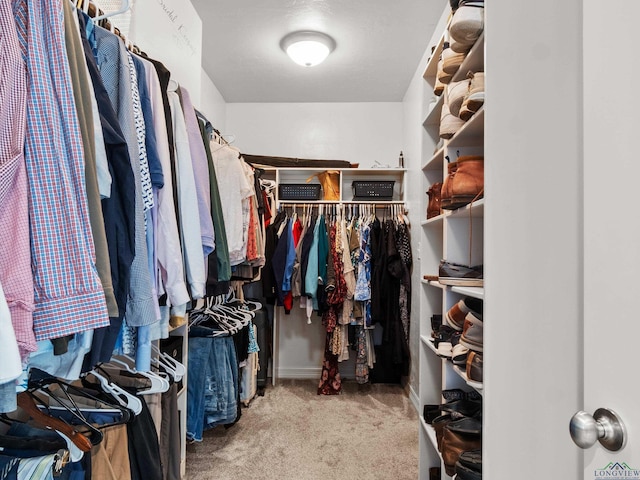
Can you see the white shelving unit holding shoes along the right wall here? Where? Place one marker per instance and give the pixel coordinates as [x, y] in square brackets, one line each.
[446, 236]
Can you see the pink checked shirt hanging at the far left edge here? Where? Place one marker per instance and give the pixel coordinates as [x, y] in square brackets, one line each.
[15, 262]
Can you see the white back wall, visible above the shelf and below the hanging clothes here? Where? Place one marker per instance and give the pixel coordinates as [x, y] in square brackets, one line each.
[358, 132]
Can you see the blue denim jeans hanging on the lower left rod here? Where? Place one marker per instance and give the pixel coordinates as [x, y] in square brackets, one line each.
[212, 386]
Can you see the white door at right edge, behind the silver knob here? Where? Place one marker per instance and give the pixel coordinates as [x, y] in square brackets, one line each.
[612, 228]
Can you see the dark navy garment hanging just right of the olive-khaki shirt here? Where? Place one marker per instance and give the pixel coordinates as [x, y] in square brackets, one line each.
[118, 210]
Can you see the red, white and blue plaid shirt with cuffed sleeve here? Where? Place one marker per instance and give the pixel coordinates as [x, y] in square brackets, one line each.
[68, 293]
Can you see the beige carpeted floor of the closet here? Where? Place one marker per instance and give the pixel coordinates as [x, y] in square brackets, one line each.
[368, 432]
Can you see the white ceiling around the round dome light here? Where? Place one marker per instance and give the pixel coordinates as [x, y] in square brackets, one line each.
[379, 46]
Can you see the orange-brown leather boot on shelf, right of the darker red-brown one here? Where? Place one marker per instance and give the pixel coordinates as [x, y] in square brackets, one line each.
[467, 184]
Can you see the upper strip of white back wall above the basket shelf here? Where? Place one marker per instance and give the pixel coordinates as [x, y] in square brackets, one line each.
[357, 132]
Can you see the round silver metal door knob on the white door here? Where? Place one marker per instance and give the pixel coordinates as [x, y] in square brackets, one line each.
[604, 426]
